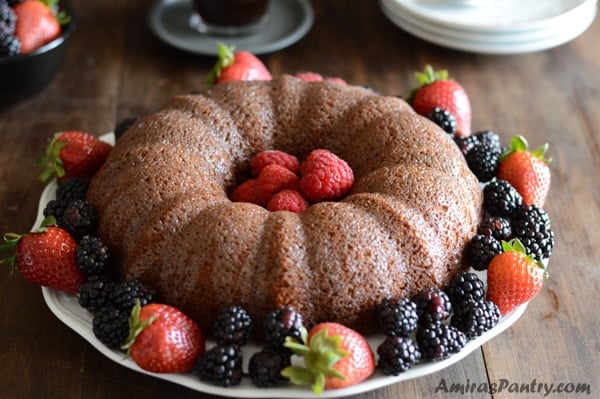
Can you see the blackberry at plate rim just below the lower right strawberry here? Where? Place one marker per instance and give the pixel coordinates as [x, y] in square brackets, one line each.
[476, 318]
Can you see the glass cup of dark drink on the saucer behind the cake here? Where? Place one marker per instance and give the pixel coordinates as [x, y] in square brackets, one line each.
[229, 17]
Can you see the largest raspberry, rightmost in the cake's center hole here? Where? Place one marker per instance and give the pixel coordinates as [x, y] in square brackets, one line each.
[325, 176]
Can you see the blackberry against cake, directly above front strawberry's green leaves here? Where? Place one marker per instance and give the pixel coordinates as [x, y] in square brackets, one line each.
[281, 323]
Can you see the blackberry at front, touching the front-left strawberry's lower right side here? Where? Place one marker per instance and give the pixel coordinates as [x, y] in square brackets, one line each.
[221, 365]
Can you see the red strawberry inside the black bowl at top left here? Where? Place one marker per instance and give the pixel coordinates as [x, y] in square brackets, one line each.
[36, 25]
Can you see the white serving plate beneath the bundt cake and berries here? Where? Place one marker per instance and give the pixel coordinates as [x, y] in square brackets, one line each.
[66, 308]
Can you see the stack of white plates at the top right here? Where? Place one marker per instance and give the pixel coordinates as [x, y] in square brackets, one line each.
[493, 26]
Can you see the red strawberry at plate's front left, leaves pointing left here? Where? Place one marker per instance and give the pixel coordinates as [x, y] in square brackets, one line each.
[162, 339]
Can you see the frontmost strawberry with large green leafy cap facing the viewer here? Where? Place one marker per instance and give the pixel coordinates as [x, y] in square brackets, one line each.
[335, 356]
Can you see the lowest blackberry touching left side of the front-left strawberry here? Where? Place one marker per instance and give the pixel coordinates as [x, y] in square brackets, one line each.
[111, 326]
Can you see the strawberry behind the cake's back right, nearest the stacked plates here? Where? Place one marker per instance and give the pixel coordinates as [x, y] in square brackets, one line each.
[437, 90]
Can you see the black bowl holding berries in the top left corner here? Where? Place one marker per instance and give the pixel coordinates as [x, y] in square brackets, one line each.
[23, 75]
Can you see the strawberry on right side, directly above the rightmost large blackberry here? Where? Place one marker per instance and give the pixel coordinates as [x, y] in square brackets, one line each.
[527, 171]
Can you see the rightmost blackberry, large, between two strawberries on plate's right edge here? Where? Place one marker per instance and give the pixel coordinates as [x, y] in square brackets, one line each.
[531, 225]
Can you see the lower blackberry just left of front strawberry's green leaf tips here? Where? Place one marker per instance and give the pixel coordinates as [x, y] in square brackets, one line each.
[265, 367]
